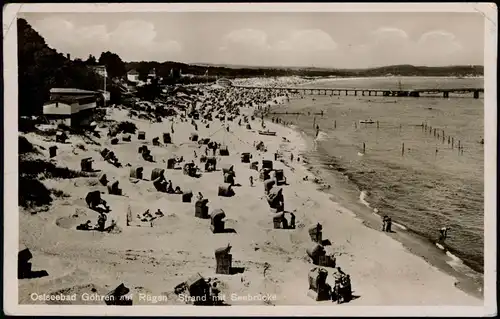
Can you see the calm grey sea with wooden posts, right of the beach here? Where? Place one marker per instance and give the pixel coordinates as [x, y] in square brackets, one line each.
[433, 184]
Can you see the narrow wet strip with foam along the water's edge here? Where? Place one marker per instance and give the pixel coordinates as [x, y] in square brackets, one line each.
[463, 281]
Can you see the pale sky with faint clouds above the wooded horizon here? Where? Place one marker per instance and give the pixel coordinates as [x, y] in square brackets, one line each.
[315, 39]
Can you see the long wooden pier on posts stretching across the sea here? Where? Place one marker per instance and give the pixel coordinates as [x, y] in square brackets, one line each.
[368, 92]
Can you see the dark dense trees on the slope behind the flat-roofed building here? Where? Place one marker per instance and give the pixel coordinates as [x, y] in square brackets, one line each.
[41, 68]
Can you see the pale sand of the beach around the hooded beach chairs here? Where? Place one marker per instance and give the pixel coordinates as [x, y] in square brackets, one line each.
[153, 259]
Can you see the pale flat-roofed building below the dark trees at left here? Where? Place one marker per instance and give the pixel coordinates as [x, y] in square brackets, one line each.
[72, 107]
